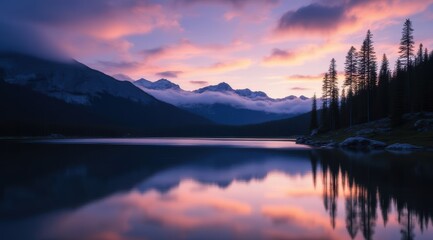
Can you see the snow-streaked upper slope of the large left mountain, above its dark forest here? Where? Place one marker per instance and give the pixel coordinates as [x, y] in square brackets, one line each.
[69, 81]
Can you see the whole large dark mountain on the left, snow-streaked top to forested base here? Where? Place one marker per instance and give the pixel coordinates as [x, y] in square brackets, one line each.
[69, 97]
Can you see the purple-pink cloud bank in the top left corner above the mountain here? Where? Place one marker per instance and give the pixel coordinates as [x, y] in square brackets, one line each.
[42, 28]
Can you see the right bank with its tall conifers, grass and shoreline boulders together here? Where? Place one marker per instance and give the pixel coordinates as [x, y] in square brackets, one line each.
[391, 106]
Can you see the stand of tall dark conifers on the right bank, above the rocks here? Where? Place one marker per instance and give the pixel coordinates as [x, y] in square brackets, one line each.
[372, 91]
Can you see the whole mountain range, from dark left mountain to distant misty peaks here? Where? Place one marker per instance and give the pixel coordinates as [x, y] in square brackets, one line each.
[40, 97]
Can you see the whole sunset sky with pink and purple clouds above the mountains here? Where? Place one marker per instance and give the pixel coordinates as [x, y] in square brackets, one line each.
[278, 46]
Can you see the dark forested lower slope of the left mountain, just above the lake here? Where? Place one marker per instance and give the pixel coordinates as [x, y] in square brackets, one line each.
[25, 112]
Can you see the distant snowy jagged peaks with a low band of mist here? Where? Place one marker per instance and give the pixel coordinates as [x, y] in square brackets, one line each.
[225, 105]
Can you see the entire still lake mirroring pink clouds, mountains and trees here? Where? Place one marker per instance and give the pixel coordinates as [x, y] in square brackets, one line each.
[210, 189]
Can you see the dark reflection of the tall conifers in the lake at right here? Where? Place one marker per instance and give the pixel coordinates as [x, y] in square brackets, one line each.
[402, 183]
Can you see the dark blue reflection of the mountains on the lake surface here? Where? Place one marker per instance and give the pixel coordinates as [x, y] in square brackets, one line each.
[71, 175]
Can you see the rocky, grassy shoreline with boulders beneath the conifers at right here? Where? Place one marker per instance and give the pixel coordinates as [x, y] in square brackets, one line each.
[415, 134]
